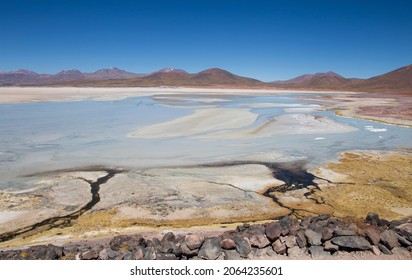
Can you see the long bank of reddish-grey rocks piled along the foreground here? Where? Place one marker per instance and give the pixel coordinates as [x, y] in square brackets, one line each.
[322, 237]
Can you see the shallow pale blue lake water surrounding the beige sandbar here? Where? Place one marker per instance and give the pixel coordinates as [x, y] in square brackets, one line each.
[38, 137]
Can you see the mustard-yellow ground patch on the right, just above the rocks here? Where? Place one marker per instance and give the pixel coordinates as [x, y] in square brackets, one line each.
[379, 182]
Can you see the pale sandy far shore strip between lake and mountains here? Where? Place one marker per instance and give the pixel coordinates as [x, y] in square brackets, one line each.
[353, 106]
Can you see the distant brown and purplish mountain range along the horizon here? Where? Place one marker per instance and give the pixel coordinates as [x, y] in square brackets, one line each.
[397, 81]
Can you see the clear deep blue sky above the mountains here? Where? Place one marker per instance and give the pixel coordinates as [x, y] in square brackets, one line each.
[267, 40]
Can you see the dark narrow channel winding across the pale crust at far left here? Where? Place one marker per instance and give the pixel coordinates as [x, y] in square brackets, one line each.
[65, 220]
